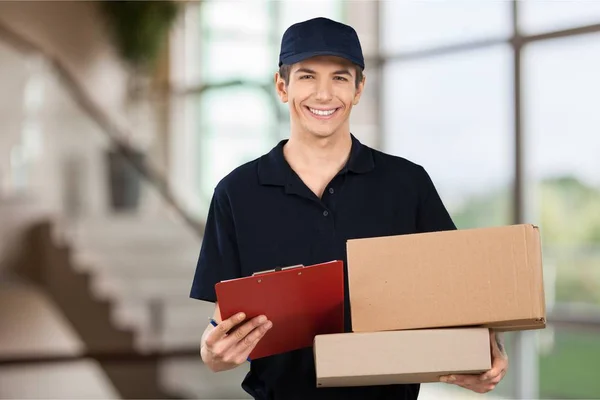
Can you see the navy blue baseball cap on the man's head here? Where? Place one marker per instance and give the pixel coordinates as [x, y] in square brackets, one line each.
[319, 37]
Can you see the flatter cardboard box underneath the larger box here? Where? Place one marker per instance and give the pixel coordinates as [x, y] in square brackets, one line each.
[412, 356]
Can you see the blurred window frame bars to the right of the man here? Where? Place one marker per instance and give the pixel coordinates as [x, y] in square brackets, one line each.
[523, 350]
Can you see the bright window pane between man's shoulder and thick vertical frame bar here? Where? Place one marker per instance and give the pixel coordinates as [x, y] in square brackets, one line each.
[452, 115]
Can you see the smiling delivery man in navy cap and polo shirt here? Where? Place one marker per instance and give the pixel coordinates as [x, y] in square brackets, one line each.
[302, 201]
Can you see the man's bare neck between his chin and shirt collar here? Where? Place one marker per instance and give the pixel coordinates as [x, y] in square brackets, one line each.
[328, 155]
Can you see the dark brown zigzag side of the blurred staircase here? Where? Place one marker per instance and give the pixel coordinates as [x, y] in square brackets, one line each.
[50, 265]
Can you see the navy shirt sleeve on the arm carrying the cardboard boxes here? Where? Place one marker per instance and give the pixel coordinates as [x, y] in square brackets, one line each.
[432, 215]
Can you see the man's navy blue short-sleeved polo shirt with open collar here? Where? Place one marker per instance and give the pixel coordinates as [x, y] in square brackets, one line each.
[263, 216]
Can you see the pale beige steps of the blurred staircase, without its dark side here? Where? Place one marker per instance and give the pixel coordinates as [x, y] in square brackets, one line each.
[147, 265]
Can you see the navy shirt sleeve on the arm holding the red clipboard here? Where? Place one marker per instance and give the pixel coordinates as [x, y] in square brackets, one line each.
[218, 259]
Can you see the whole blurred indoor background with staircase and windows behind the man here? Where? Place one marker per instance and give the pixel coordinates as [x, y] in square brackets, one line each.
[118, 119]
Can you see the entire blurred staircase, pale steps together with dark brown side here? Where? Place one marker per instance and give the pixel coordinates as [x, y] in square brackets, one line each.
[123, 283]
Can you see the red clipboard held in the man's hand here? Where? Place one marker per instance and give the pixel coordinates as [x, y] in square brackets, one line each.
[301, 301]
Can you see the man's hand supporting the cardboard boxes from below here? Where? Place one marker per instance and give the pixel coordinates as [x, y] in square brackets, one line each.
[487, 381]
